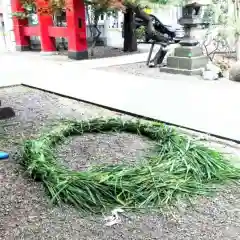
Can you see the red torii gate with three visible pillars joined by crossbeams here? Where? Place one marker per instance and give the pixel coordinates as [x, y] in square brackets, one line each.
[75, 31]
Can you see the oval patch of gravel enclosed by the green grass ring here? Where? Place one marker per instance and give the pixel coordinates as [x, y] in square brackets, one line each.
[81, 152]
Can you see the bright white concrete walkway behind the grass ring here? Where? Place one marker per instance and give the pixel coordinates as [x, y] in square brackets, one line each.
[211, 107]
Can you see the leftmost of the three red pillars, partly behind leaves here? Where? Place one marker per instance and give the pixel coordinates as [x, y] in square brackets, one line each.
[22, 42]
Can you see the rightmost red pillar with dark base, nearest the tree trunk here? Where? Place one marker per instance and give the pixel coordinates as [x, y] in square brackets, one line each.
[76, 24]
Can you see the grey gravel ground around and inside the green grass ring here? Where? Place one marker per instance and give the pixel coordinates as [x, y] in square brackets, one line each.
[25, 210]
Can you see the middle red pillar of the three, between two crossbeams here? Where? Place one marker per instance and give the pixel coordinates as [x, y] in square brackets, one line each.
[45, 20]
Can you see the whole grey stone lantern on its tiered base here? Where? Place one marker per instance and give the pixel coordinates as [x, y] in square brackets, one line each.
[188, 58]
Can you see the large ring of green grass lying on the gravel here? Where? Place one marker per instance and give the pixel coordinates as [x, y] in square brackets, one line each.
[178, 167]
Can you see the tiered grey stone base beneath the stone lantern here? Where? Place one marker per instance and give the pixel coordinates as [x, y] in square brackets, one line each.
[187, 60]
